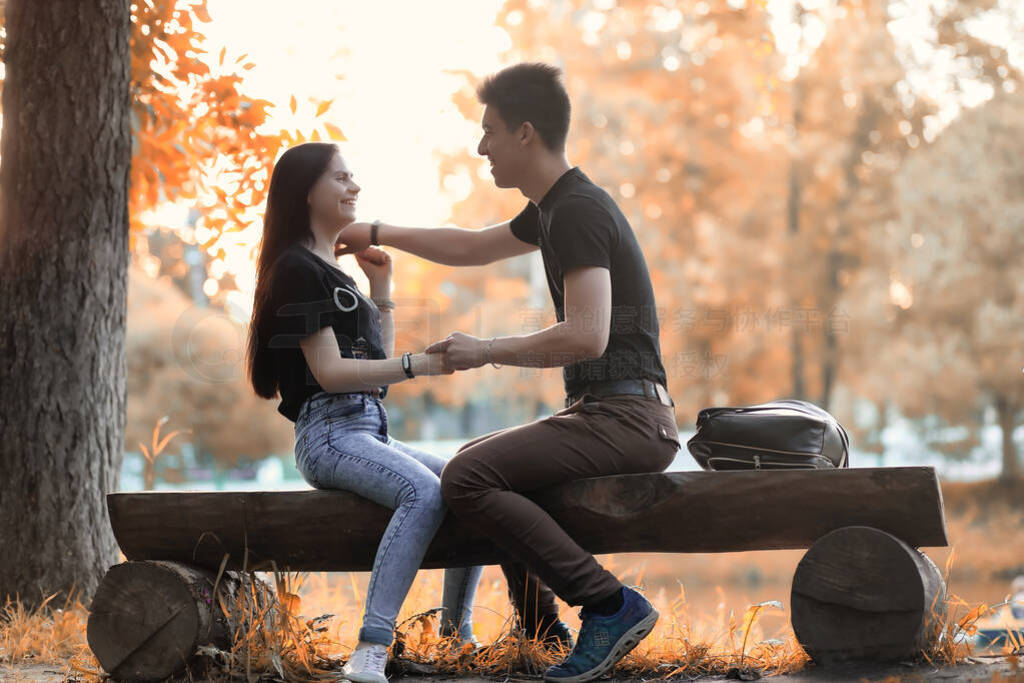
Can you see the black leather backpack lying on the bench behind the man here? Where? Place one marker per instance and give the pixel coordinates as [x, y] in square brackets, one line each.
[781, 435]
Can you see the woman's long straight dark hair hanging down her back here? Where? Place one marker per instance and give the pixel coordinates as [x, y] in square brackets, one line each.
[286, 223]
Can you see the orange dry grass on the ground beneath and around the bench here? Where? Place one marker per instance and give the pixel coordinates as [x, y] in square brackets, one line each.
[297, 649]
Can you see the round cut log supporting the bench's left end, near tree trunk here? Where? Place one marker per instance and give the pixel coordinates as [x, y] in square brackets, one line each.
[148, 618]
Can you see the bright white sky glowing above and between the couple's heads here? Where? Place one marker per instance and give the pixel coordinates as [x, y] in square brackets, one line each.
[385, 66]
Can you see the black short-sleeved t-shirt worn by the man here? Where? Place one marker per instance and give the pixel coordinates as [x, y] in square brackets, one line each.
[578, 224]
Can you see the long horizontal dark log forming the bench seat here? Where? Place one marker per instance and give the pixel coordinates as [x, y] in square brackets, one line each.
[677, 513]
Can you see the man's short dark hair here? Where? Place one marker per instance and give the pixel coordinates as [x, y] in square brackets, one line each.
[531, 92]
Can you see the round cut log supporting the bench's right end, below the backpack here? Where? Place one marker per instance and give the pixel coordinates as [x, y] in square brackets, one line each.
[863, 594]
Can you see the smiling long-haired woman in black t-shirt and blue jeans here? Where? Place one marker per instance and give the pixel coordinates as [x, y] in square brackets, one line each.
[328, 350]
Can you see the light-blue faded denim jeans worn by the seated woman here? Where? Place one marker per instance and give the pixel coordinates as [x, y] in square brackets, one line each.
[342, 442]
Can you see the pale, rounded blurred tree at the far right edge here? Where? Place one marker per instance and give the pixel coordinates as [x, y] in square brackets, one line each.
[958, 344]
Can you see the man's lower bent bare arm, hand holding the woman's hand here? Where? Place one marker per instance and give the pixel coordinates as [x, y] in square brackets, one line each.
[584, 333]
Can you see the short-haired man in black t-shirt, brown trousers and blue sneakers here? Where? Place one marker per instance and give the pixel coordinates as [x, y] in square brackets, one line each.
[618, 417]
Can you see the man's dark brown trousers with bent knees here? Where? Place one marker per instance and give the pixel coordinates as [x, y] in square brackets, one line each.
[485, 486]
